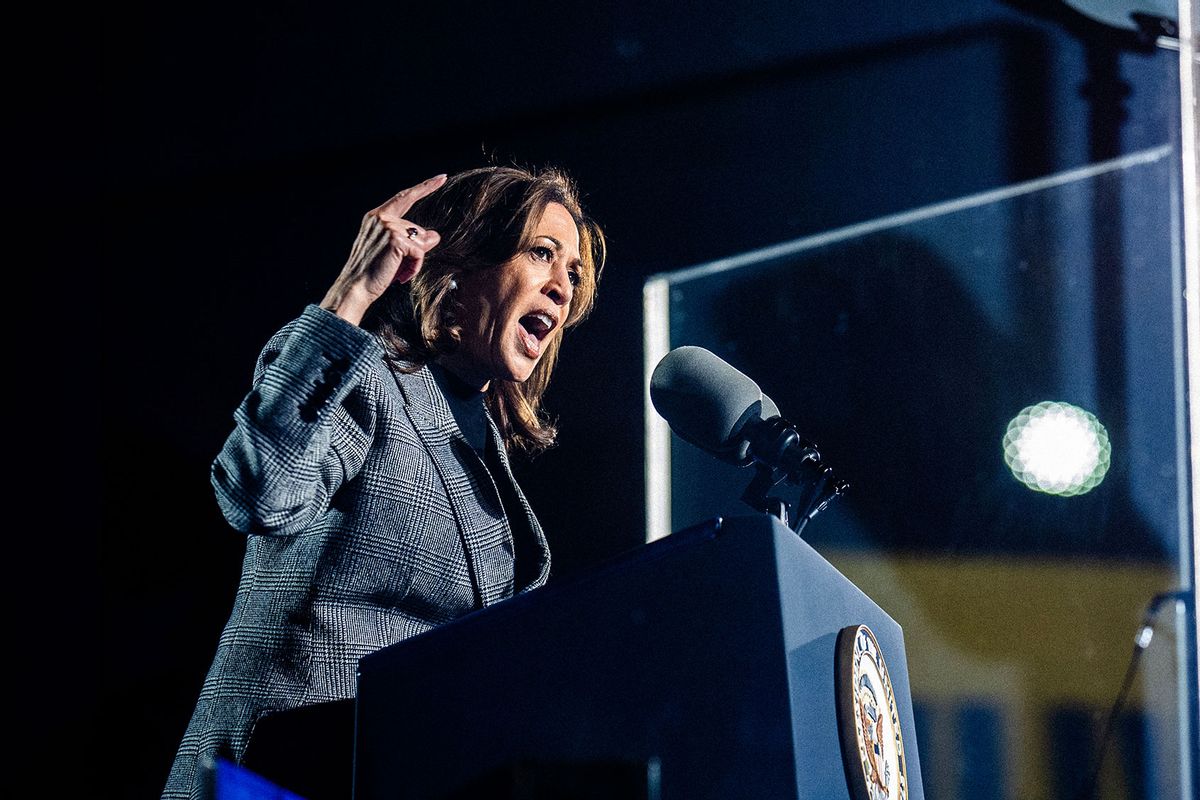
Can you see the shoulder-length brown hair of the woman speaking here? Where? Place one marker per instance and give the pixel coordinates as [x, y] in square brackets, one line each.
[487, 216]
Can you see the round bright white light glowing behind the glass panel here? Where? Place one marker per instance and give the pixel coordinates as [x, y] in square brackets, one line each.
[1058, 449]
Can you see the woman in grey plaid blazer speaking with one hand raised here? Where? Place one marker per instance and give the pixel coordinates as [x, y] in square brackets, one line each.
[369, 464]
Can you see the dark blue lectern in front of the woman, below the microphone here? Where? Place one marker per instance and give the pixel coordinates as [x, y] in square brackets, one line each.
[710, 654]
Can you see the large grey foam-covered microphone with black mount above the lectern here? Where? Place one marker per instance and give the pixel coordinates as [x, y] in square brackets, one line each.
[711, 405]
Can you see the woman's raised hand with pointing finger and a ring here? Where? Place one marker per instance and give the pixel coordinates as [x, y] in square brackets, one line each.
[388, 250]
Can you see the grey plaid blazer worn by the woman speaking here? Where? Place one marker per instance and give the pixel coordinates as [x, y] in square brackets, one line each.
[370, 520]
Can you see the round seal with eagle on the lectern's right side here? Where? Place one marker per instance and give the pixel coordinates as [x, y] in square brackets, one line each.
[869, 726]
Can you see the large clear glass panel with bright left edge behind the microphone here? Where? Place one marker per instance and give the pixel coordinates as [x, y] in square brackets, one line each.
[1001, 382]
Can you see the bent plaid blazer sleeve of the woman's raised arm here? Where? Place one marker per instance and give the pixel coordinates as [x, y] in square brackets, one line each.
[304, 429]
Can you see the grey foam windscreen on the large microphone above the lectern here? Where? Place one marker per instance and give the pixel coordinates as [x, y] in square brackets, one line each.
[706, 401]
